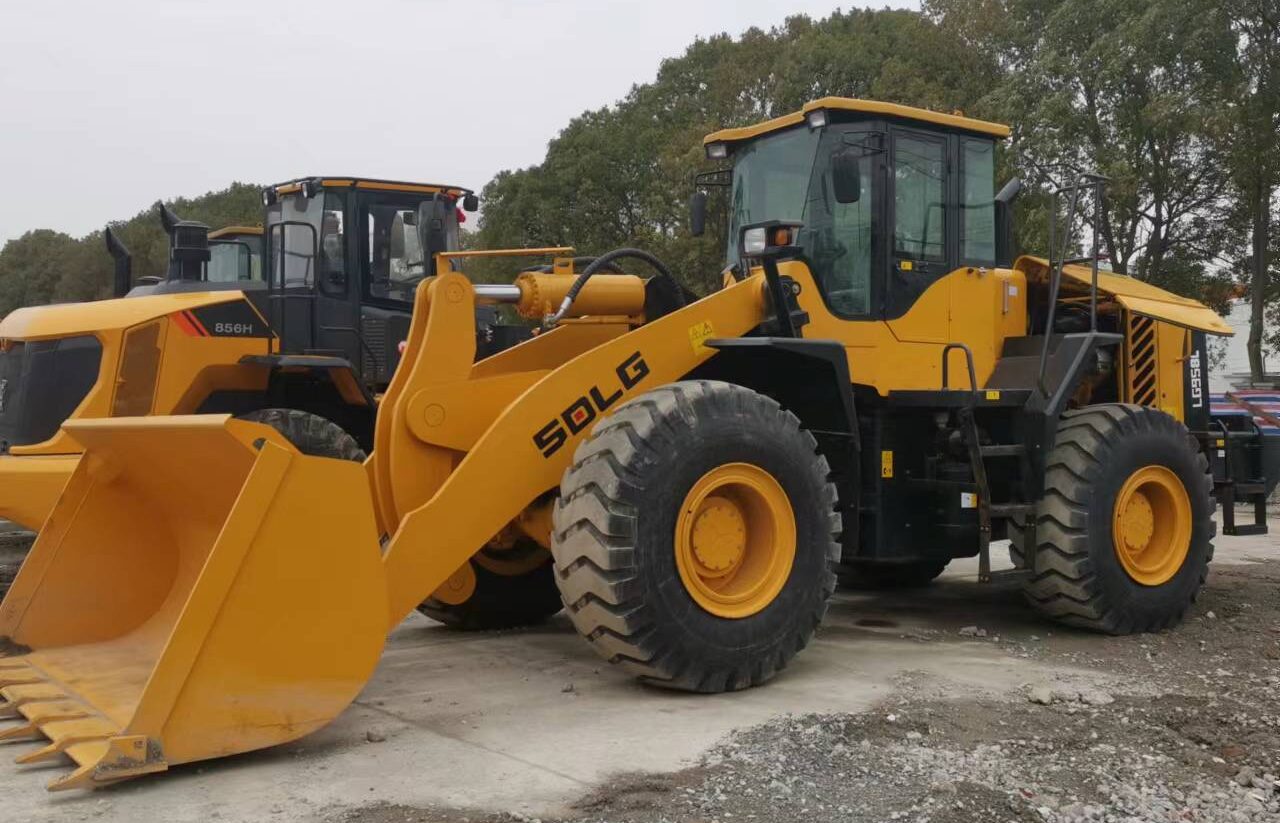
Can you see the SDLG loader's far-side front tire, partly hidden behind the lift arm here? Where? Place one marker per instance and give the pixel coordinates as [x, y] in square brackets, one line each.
[502, 601]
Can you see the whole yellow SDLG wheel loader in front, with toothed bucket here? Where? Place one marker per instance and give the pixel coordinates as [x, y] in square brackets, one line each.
[876, 386]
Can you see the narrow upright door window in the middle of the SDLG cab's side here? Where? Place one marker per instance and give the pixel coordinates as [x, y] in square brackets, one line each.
[920, 199]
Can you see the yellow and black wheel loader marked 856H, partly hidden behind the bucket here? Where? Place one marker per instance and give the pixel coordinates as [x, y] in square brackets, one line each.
[305, 344]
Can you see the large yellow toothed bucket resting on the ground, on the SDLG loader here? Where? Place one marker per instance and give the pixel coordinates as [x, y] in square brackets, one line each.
[200, 589]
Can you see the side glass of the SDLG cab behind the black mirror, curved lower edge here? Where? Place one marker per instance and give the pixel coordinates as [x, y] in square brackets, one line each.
[838, 237]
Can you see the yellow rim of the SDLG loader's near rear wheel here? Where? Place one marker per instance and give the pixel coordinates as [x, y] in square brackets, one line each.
[1151, 528]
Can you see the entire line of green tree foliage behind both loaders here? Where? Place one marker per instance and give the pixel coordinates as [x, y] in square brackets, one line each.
[1176, 102]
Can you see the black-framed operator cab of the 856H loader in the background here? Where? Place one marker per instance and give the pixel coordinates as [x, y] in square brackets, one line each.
[342, 263]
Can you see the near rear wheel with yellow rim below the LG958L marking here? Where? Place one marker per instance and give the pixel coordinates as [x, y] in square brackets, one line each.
[1132, 579]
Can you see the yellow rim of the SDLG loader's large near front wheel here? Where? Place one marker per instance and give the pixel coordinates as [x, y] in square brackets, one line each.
[735, 541]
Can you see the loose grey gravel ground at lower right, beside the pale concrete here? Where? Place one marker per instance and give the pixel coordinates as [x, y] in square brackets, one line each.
[1172, 728]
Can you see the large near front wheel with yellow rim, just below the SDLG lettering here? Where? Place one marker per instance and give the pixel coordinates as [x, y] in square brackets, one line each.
[616, 541]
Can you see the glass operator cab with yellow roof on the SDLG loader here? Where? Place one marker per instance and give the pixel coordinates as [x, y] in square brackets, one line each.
[892, 199]
